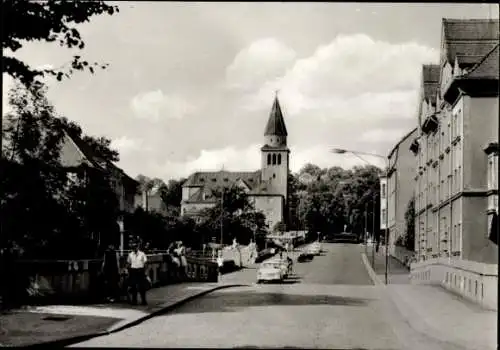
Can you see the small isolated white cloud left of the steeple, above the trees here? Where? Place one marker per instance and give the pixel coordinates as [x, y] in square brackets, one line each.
[155, 105]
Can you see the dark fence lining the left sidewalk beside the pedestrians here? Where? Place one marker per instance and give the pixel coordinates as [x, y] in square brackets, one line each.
[80, 280]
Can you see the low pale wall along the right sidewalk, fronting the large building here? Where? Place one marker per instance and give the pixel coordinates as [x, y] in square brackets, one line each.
[477, 282]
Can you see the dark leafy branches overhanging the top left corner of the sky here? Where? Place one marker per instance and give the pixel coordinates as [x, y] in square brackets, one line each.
[50, 21]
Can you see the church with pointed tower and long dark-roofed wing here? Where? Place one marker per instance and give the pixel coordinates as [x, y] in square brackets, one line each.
[267, 188]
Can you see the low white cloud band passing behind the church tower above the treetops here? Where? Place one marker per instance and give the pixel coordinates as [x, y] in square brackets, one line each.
[249, 159]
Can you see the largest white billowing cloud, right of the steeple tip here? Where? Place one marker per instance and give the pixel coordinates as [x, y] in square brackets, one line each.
[353, 77]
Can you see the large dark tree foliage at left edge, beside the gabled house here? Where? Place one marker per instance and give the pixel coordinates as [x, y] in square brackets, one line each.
[56, 209]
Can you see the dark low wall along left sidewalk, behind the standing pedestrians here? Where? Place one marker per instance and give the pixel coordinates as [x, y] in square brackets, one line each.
[68, 280]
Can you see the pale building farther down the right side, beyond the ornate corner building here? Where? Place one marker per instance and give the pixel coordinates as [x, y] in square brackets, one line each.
[400, 187]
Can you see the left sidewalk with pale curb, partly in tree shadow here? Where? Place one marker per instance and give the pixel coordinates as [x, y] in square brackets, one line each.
[40, 324]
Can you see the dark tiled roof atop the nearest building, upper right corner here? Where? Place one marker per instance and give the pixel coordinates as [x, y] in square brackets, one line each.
[467, 39]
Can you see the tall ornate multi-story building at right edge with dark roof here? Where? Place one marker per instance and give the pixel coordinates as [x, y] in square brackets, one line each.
[457, 163]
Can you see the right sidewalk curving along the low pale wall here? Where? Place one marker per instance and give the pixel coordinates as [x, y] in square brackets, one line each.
[434, 311]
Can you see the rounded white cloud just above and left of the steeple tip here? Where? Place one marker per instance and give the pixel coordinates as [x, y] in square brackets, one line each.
[261, 61]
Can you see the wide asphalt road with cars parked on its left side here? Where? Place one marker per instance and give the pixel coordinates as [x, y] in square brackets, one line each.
[330, 303]
